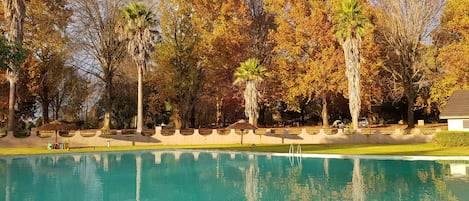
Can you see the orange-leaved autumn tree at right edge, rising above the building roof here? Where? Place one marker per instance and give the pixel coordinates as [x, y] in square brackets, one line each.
[452, 47]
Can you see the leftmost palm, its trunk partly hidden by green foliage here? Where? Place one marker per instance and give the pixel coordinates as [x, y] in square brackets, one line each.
[15, 11]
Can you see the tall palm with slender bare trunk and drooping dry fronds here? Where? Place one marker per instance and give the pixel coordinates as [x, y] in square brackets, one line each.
[136, 28]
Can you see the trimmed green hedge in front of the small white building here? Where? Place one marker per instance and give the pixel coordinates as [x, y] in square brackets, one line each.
[452, 138]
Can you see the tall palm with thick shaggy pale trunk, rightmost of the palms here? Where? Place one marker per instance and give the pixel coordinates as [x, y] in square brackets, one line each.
[350, 24]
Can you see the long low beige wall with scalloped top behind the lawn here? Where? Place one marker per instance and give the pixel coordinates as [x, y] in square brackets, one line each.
[160, 136]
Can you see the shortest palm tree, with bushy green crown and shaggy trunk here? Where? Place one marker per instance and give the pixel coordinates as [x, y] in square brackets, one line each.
[251, 73]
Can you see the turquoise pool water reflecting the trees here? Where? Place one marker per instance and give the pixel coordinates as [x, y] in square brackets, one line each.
[205, 176]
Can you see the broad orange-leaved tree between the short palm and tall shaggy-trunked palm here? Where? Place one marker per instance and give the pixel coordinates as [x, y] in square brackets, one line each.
[308, 57]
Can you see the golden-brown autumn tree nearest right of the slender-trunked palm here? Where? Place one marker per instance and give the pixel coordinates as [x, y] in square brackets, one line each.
[181, 68]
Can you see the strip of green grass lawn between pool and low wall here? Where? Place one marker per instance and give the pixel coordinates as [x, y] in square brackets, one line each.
[347, 149]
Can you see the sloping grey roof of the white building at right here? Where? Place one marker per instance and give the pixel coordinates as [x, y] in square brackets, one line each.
[457, 106]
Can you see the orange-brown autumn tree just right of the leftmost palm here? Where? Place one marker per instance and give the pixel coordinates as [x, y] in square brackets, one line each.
[45, 26]
